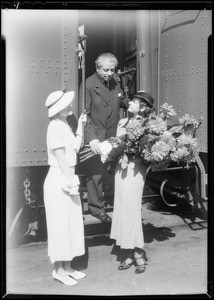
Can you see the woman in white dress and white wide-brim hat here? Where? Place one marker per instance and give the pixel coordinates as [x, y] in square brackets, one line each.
[63, 208]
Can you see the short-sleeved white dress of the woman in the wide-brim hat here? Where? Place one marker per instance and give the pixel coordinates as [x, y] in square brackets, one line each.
[64, 219]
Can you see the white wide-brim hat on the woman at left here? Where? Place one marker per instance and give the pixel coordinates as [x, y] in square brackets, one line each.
[57, 101]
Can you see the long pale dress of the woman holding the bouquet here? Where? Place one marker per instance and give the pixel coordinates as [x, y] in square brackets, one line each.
[126, 226]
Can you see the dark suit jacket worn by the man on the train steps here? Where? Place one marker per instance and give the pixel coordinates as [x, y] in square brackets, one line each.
[102, 107]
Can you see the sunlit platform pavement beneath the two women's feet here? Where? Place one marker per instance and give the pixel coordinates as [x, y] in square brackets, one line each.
[177, 260]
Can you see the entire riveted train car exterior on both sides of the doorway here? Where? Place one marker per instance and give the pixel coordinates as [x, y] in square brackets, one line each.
[168, 51]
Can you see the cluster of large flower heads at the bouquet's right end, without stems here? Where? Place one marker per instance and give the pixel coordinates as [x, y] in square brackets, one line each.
[175, 143]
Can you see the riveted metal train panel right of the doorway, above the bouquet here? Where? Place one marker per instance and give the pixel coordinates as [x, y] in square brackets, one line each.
[183, 51]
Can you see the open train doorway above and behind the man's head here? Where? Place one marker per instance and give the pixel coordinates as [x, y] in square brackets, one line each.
[112, 31]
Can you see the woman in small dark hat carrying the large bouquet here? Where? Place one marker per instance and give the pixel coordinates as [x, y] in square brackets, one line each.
[126, 226]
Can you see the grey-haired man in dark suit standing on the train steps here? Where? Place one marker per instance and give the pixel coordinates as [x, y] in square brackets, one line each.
[103, 99]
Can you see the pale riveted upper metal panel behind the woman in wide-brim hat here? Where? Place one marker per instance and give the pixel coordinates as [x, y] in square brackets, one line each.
[40, 59]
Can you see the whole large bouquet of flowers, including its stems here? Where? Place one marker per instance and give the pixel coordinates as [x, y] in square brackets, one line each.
[155, 140]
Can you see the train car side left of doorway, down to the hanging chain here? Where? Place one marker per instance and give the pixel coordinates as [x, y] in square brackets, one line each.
[40, 58]
